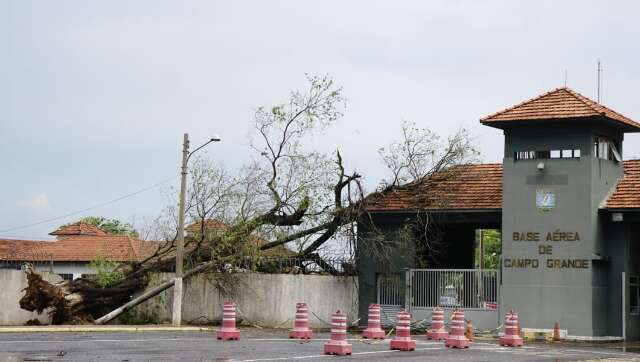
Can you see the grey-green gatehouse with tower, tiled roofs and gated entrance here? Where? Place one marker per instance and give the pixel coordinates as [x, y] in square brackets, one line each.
[566, 207]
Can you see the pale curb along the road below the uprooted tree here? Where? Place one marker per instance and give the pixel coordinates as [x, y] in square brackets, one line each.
[85, 328]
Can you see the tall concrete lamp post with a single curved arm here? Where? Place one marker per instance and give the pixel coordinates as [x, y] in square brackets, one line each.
[177, 287]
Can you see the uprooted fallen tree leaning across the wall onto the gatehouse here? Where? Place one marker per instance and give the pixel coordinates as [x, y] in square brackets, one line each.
[288, 196]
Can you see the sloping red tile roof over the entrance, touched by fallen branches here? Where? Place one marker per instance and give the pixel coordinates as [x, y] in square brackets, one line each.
[468, 187]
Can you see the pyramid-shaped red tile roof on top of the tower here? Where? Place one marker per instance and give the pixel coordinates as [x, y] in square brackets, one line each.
[560, 103]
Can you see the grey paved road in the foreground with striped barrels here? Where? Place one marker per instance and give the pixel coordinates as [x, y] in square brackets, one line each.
[262, 345]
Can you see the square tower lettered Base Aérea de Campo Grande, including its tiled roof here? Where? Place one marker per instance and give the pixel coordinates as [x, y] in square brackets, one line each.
[562, 160]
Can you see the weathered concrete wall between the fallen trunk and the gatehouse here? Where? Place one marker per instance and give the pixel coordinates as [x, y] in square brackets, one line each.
[266, 300]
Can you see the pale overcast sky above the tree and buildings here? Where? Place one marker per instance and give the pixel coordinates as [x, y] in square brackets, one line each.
[95, 96]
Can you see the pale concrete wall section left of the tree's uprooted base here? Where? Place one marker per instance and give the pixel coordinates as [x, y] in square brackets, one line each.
[12, 283]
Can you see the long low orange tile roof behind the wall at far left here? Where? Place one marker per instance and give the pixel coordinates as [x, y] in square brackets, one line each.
[83, 248]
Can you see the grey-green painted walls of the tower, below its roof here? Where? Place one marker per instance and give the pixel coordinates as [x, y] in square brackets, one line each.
[543, 295]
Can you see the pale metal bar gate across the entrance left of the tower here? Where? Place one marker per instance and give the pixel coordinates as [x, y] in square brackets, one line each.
[420, 290]
